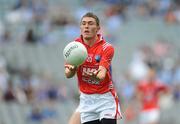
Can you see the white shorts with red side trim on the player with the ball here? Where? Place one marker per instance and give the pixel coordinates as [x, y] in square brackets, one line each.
[98, 106]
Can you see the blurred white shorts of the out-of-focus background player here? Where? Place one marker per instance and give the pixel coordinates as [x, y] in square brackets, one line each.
[149, 116]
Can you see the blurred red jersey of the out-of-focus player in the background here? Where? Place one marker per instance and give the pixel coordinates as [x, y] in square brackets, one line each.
[150, 93]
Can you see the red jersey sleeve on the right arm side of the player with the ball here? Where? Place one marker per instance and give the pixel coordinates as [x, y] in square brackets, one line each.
[107, 56]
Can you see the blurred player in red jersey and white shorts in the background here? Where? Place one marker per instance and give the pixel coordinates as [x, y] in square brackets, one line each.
[148, 93]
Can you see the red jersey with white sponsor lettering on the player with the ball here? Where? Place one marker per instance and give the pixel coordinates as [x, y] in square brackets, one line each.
[100, 54]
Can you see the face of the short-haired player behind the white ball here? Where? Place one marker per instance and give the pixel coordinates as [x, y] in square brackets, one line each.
[89, 28]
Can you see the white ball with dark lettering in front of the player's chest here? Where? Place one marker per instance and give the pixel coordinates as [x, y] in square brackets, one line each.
[75, 53]
